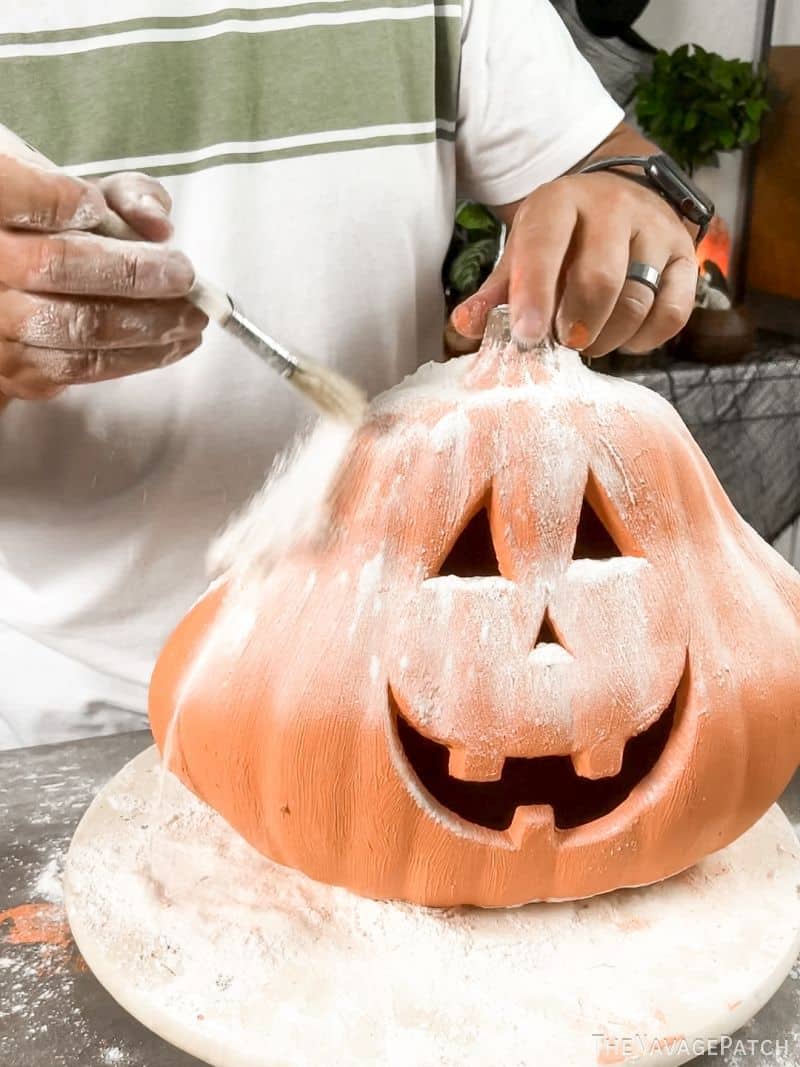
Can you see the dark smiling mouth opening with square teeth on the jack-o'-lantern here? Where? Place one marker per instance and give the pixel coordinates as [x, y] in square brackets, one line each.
[540, 781]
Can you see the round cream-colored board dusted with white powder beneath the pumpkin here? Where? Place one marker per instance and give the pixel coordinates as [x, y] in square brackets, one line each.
[246, 964]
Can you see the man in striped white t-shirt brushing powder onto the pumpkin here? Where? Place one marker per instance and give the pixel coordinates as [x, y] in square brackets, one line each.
[311, 153]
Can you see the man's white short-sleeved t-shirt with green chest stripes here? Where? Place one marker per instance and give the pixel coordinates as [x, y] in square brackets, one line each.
[314, 158]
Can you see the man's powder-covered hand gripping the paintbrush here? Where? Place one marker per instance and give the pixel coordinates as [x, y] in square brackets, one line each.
[76, 308]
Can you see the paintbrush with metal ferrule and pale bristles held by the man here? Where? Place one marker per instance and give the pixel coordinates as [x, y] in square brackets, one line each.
[333, 394]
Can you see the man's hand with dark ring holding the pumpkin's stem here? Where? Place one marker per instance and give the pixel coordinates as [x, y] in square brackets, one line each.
[565, 268]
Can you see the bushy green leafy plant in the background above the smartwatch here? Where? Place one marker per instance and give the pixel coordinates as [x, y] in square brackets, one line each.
[696, 104]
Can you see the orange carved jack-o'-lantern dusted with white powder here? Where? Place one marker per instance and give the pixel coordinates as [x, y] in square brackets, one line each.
[537, 656]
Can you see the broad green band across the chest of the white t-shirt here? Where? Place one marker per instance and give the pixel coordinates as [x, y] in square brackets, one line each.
[179, 97]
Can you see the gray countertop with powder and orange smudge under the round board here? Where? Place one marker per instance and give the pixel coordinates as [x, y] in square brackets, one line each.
[55, 1014]
